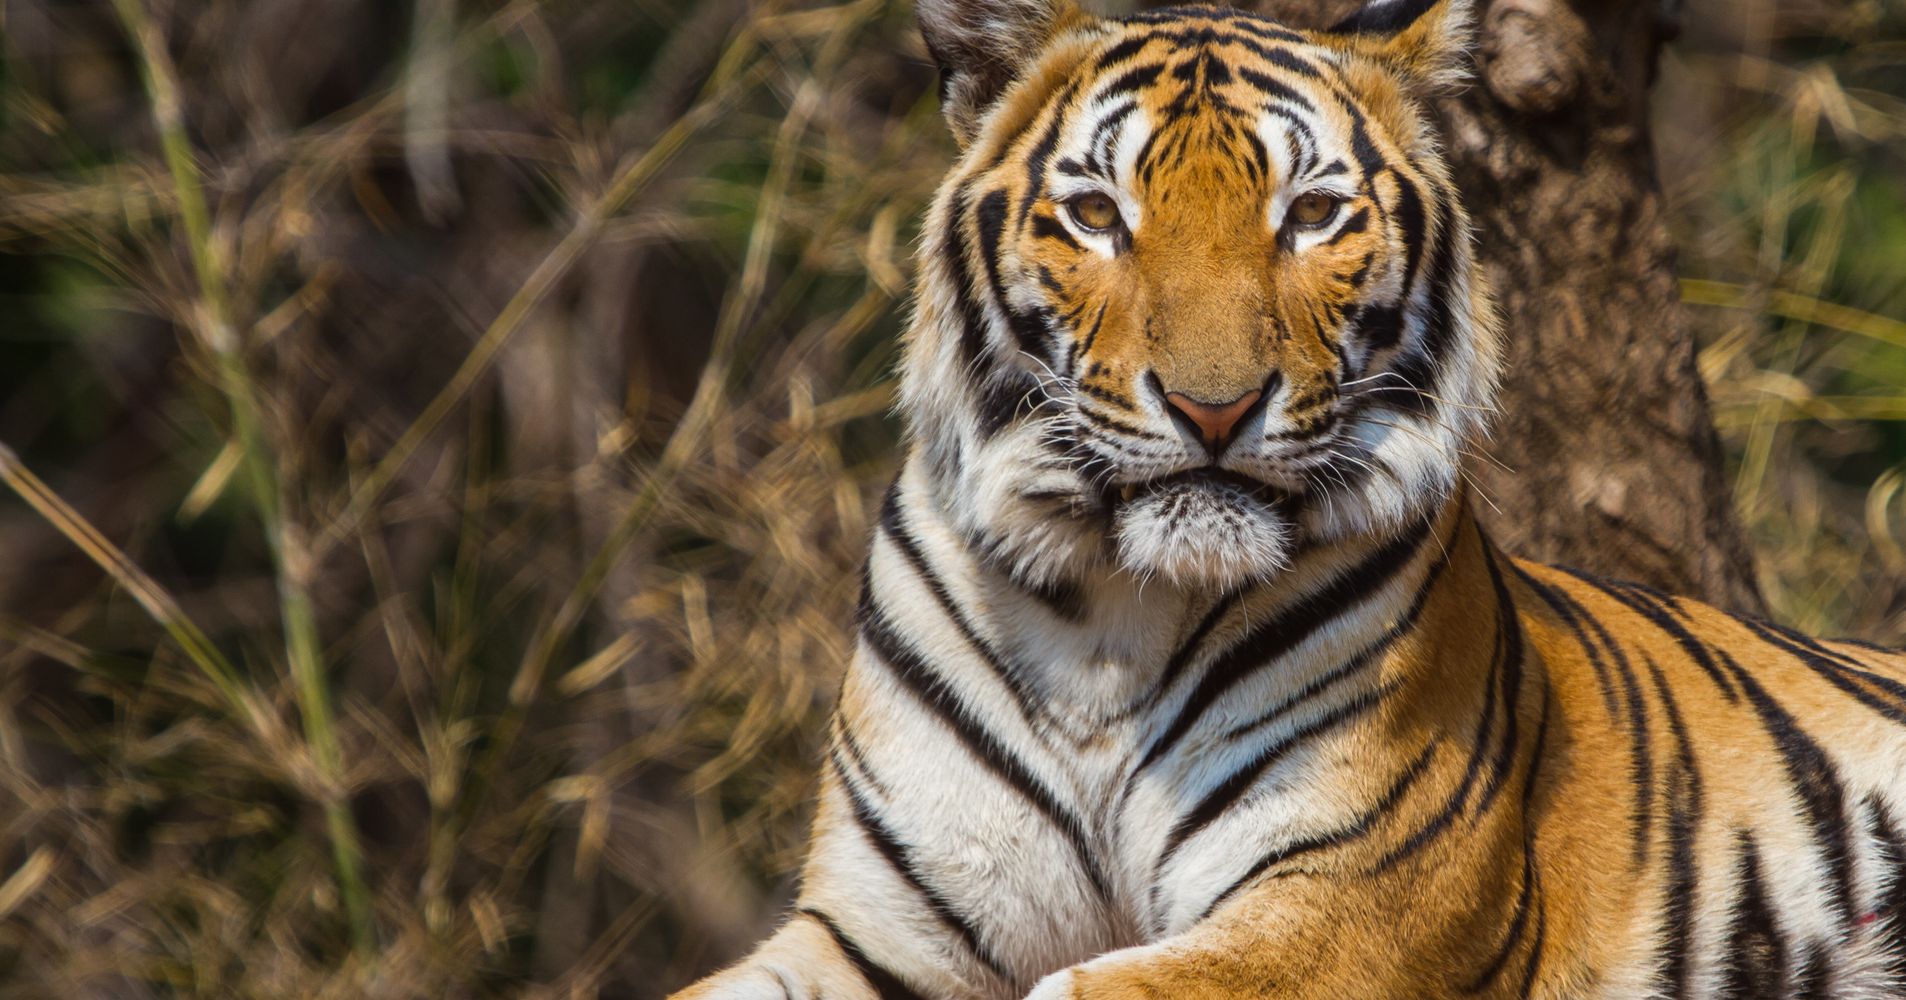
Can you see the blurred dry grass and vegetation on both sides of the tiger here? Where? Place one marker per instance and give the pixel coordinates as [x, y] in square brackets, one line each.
[441, 437]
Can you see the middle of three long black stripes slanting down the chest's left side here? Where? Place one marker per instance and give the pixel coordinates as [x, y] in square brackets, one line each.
[912, 670]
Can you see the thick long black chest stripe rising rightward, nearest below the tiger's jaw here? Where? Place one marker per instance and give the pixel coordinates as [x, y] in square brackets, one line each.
[1278, 637]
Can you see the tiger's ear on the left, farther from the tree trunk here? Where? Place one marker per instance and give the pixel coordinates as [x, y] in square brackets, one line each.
[983, 47]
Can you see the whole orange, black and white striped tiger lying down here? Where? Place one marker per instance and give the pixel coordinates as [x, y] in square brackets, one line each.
[1185, 668]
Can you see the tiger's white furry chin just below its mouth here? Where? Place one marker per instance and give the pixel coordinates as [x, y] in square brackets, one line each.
[1204, 534]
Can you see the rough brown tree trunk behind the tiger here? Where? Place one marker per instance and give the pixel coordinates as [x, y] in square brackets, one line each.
[1606, 454]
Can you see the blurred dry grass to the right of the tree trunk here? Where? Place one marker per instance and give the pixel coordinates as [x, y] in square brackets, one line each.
[1783, 146]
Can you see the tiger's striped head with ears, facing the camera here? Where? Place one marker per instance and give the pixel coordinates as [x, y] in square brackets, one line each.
[1200, 290]
